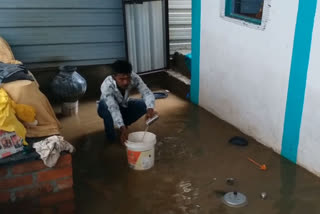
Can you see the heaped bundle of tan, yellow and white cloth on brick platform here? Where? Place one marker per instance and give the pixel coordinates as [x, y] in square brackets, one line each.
[25, 113]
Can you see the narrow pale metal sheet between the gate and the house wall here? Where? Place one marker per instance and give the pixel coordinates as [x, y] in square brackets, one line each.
[180, 25]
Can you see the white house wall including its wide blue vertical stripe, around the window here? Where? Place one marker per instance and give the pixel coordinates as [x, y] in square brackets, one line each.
[245, 73]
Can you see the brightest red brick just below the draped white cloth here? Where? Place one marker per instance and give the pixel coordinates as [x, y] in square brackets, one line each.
[54, 174]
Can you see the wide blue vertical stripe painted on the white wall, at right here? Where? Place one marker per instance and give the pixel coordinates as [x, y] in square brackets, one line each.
[298, 78]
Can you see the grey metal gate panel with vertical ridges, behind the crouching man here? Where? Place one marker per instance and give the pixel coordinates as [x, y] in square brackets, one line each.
[146, 35]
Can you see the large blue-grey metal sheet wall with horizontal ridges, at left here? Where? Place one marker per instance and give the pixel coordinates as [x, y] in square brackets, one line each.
[45, 33]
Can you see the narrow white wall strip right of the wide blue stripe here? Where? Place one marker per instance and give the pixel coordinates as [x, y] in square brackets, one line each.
[309, 146]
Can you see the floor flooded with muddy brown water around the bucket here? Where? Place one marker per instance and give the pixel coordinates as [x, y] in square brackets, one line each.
[193, 161]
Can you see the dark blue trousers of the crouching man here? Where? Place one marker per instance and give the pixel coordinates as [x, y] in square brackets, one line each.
[136, 109]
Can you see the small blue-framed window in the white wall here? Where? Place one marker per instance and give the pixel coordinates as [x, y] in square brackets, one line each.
[247, 10]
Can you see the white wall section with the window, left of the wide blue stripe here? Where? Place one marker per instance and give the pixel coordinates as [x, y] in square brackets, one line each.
[244, 72]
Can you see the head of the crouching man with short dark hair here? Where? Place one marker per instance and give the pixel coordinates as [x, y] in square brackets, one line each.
[122, 73]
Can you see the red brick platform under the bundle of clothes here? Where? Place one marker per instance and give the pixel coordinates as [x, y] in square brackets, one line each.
[32, 183]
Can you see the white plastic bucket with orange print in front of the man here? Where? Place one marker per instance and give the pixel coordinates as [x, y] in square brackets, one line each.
[141, 153]
